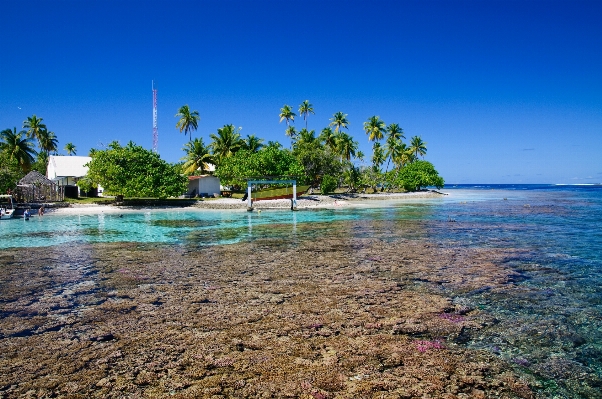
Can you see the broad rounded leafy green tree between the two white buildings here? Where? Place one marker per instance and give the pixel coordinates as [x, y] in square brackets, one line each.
[133, 171]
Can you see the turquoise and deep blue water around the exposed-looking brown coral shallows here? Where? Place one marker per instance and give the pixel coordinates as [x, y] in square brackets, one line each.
[549, 326]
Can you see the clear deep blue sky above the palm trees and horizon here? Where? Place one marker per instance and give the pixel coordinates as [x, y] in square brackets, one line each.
[502, 91]
